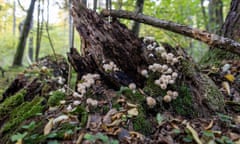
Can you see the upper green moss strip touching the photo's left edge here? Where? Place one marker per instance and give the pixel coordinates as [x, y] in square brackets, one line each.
[11, 103]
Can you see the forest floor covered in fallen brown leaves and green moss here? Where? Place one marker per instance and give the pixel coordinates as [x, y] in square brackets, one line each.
[61, 115]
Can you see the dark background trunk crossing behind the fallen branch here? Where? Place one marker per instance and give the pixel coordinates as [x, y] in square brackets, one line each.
[138, 9]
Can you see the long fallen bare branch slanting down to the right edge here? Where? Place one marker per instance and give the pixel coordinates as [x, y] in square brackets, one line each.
[212, 40]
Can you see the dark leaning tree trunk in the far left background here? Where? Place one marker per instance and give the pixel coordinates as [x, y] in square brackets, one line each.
[24, 34]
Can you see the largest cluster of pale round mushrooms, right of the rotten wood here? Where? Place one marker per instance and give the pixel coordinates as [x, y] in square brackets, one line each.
[168, 74]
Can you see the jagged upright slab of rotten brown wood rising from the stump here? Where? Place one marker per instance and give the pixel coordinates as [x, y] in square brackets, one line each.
[105, 40]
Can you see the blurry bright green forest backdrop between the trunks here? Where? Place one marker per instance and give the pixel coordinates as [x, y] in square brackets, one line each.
[202, 14]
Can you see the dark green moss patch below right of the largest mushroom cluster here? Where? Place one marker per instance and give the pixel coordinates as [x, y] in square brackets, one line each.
[183, 105]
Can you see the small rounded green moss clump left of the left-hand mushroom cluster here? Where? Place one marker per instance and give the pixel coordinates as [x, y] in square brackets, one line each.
[55, 98]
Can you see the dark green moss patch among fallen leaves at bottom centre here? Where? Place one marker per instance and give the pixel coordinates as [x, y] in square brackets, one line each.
[141, 123]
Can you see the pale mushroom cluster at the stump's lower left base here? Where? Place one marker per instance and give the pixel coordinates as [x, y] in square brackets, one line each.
[86, 82]
